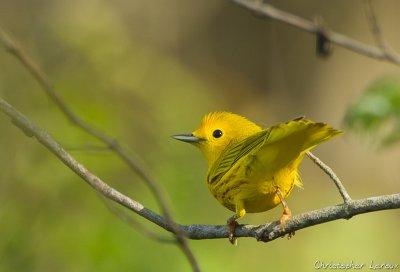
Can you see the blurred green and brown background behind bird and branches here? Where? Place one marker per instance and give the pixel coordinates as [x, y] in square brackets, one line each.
[144, 70]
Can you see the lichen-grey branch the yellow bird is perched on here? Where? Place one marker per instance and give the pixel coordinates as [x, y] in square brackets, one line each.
[266, 232]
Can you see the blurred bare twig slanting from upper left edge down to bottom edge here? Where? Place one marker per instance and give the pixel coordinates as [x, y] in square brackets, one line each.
[129, 158]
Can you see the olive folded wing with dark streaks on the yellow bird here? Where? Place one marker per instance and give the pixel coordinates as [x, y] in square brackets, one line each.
[233, 153]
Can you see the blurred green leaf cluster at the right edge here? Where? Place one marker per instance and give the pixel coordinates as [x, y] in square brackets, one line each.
[377, 111]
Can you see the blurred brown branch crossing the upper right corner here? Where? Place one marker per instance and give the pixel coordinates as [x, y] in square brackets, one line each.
[269, 11]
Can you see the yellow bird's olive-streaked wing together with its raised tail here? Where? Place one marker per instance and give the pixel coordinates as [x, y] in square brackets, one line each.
[271, 149]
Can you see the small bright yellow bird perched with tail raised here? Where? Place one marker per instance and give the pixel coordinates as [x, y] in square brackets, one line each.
[253, 169]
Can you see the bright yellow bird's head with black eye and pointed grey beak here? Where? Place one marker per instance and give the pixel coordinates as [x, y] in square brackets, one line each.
[218, 130]
